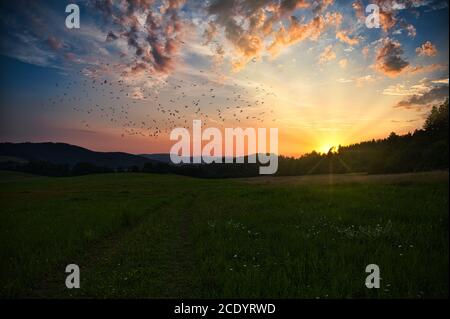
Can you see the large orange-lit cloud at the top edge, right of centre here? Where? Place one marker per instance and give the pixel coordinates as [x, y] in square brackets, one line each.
[258, 27]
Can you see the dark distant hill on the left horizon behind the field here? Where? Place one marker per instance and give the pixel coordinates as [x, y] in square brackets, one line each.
[61, 153]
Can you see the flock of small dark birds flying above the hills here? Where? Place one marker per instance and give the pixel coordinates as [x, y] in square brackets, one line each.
[151, 111]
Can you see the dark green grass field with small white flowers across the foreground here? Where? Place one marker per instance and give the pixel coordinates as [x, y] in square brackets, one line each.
[164, 236]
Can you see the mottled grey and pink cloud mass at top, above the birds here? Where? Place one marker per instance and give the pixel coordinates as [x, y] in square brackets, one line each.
[144, 37]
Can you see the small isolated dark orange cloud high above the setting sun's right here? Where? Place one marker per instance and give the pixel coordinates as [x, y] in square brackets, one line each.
[389, 59]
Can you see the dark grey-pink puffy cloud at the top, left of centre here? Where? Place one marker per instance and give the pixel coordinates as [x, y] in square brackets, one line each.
[155, 42]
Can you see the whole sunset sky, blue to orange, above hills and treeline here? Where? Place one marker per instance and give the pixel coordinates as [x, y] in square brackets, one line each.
[135, 70]
